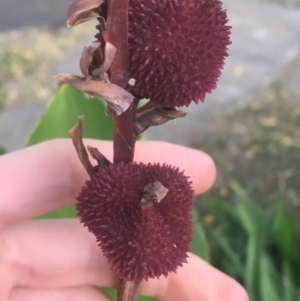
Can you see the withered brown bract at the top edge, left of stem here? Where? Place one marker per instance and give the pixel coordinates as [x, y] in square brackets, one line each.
[80, 11]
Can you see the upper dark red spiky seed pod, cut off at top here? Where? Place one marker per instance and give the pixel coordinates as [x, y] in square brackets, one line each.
[177, 49]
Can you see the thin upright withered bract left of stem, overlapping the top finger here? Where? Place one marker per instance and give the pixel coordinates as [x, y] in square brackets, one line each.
[76, 135]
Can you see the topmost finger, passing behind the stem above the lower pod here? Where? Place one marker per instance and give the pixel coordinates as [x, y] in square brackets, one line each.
[48, 176]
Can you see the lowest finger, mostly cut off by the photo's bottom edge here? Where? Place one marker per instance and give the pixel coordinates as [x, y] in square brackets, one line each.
[63, 294]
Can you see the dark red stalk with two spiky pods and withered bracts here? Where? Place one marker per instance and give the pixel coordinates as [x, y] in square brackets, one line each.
[170, 52]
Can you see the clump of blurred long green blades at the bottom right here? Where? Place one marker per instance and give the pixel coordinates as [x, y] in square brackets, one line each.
[256, 246]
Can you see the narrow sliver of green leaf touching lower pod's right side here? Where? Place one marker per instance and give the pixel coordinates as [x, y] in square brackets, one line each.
[199, 245]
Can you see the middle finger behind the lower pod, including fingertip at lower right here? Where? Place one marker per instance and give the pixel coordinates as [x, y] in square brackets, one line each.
[62, 253]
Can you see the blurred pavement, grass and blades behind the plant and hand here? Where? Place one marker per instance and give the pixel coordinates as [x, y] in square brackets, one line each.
[249, 221]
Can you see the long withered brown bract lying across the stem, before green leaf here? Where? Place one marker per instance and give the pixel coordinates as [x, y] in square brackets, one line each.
[117, 98]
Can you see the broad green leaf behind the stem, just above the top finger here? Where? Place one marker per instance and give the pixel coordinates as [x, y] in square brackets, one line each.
[62, 114]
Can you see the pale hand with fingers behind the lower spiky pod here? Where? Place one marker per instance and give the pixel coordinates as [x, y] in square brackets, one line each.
[59, 260]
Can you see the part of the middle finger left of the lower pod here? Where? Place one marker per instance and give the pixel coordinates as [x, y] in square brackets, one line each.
[54, 253]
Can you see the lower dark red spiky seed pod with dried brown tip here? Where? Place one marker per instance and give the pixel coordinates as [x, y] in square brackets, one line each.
[140, 239]
